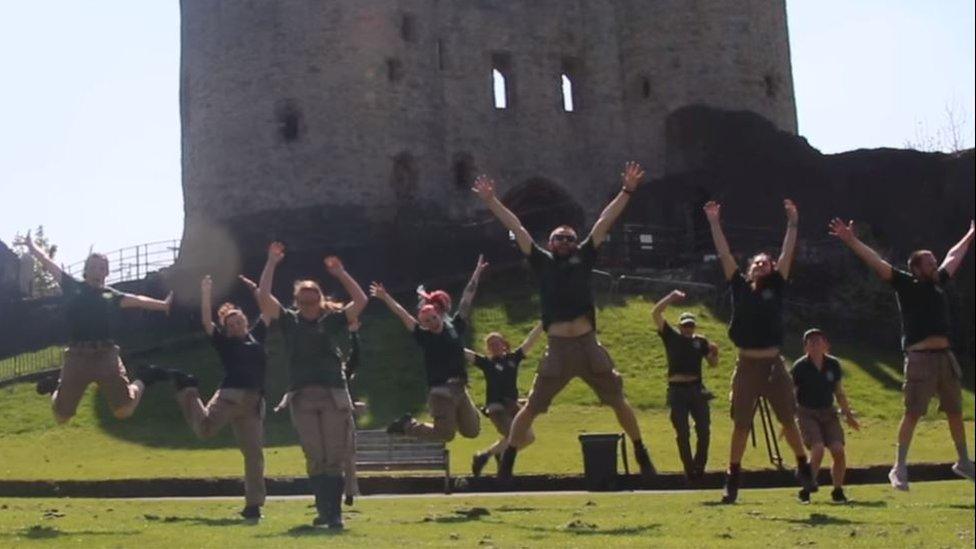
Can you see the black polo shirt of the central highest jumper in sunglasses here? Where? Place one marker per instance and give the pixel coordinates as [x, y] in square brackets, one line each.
[564, 283]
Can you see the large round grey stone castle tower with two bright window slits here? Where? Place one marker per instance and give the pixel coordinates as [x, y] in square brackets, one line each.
[340, 121]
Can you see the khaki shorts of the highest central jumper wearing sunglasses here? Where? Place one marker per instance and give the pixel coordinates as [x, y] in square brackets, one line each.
[569, 357]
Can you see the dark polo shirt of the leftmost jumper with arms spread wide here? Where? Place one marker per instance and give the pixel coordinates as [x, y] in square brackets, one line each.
[92, 313]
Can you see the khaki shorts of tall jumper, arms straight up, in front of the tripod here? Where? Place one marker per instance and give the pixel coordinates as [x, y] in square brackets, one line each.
[761, 377]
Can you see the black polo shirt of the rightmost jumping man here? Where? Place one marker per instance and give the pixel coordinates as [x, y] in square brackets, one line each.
[924, 306]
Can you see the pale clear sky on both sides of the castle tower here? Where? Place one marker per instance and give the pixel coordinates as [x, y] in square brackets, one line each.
[90, 140]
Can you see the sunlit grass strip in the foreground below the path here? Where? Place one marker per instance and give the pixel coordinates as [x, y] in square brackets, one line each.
[931, 515]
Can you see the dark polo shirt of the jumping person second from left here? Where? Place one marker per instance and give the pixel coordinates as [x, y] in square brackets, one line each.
[243, 359]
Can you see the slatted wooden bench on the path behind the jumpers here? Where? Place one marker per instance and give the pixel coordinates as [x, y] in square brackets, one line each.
[378, 451]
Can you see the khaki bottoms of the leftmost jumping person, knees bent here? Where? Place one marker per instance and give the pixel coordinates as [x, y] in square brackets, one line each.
[86, 365]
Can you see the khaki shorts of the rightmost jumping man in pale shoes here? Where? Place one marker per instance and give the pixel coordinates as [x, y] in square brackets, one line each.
[928, 373]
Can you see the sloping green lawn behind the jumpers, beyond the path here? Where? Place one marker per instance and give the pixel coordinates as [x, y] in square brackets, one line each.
[156, 442]
